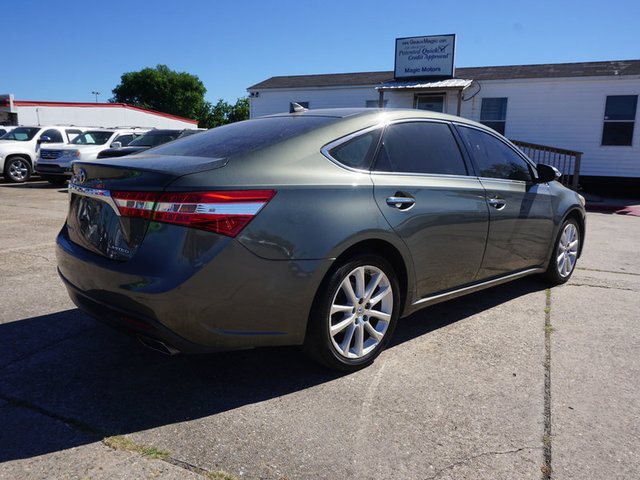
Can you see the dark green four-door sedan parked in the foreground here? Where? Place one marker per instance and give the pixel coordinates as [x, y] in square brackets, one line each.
[318, 228]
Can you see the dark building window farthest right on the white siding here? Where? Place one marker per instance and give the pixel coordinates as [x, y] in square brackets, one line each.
[619, 119]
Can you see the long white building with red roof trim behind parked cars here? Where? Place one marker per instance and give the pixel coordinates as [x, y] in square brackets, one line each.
[17, 112]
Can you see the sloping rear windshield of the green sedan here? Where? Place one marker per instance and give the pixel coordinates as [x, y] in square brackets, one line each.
[242, 137]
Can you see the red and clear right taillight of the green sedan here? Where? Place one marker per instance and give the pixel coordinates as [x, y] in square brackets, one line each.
[224, 212]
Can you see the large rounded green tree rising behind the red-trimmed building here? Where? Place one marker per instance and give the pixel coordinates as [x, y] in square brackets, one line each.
[162, 89]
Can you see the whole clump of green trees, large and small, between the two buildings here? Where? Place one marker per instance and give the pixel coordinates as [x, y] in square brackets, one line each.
[177, 93]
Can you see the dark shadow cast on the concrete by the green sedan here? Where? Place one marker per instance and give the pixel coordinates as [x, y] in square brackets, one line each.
[66, 380]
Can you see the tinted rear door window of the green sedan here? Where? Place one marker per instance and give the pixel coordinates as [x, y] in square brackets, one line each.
[420, 147]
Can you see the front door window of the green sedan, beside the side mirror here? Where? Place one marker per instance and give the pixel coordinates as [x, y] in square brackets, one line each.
[494, 158]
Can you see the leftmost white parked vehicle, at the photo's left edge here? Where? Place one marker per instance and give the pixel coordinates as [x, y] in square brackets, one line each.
[19, 148]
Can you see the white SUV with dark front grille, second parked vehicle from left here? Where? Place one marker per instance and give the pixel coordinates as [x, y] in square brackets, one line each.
[54, 164]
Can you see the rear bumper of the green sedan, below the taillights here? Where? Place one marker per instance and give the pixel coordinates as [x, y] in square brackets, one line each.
[223, 297]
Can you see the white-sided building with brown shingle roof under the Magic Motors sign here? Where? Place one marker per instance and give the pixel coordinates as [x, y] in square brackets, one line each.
[585, 107]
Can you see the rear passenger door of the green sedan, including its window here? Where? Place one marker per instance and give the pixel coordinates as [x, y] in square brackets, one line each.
[423, 189]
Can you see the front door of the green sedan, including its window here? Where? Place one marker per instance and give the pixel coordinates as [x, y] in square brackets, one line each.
[520, 216]
